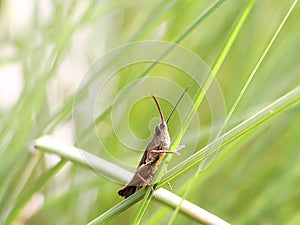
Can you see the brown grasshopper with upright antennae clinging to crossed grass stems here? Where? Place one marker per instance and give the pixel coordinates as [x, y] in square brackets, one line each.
[152, 156]
